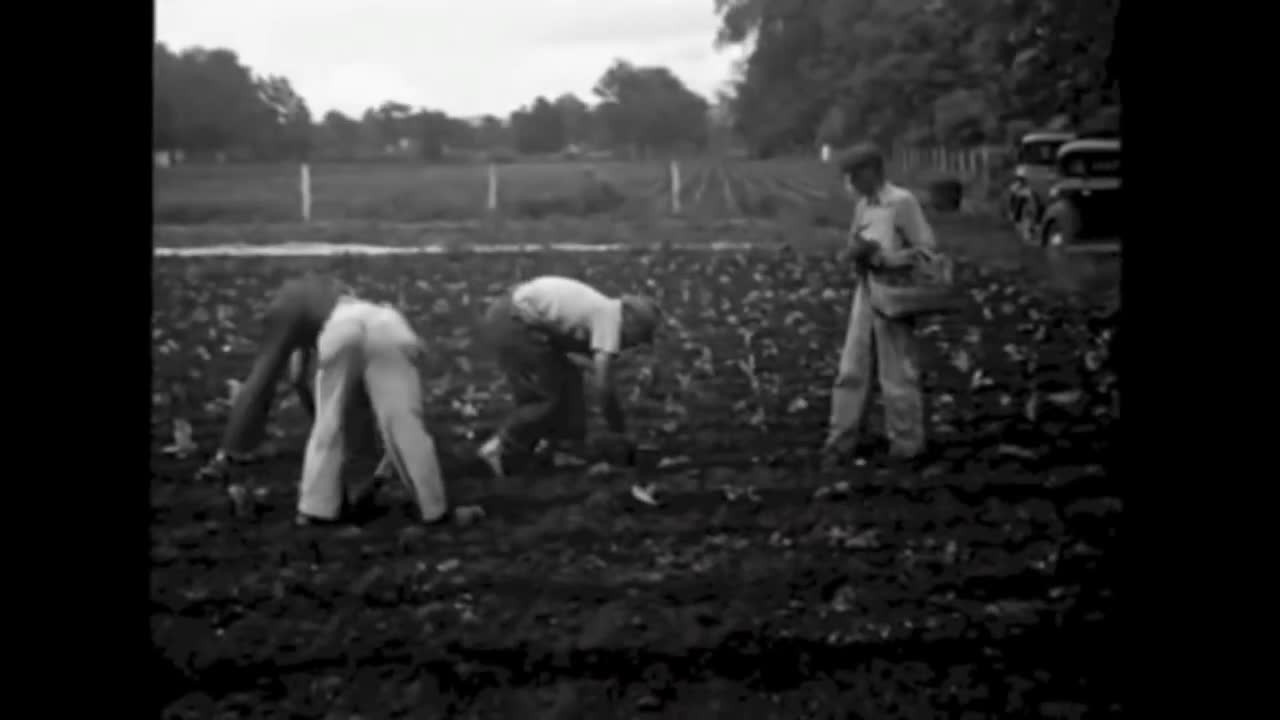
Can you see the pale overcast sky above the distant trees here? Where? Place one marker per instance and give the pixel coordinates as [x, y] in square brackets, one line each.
[464, 57]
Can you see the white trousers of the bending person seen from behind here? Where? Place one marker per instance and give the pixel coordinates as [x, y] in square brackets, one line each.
[374, 345]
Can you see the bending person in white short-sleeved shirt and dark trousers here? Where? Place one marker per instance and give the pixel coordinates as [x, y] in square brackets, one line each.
[536, 329]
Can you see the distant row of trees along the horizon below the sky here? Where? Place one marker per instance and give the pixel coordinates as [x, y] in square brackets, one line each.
[207, 103]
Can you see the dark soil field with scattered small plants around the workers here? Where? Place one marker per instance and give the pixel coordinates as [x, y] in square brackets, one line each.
[977, 586]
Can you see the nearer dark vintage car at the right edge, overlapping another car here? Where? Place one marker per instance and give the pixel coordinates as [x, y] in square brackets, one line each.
[1085, 209]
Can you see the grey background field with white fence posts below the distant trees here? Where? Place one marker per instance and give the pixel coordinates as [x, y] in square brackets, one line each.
[799, 189]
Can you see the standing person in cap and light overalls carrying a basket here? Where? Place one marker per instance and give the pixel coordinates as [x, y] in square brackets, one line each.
[889, 225]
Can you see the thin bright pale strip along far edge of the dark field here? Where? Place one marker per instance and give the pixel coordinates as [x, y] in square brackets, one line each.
[321, 249]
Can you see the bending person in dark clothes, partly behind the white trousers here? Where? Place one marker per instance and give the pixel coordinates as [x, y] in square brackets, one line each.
[292, 325]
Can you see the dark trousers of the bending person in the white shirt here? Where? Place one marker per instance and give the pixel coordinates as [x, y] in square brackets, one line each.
[551, 400]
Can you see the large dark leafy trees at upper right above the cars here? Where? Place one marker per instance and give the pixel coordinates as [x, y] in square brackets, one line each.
[921, 72]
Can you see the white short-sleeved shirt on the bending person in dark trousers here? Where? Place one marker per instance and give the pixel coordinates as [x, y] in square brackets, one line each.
[573, 311]
